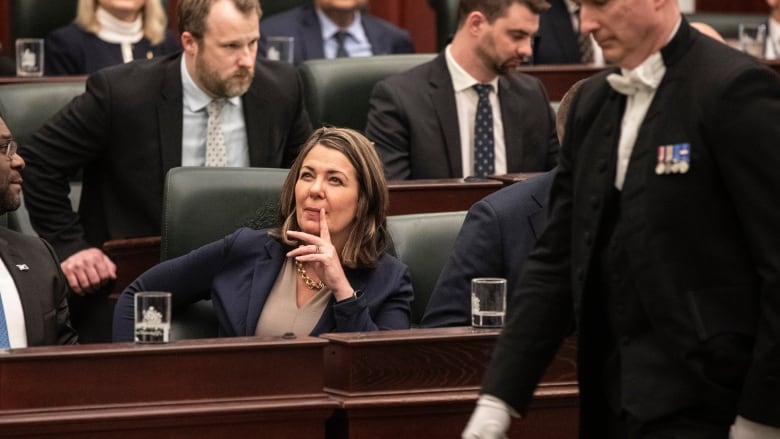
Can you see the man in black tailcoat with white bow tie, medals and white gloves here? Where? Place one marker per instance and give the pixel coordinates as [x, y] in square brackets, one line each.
[661, 244]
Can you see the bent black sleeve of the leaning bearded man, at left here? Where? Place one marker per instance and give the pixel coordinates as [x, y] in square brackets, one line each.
[77, 135]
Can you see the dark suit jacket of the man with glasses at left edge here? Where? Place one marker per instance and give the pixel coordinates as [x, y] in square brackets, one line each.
[42, 288]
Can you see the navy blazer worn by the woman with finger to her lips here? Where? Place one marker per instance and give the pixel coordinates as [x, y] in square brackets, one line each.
[238, 272]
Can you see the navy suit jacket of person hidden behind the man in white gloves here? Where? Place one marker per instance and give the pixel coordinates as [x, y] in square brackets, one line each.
[496, 237]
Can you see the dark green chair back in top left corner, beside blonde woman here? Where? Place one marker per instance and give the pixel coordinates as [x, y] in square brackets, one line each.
[36, 18]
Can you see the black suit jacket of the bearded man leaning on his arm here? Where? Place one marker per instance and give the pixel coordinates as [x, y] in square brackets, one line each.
[125, 131]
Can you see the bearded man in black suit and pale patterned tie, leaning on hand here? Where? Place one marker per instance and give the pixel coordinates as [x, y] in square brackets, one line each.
[138, 120]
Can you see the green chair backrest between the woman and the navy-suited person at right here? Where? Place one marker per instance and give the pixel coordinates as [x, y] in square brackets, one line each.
[423, 241]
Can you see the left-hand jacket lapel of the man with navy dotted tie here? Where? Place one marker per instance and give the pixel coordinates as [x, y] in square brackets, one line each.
[443, 100]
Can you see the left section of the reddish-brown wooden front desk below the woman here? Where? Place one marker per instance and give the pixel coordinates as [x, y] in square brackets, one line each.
[242, 387]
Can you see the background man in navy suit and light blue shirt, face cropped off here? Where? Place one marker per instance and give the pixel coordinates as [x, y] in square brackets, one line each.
[335, 29]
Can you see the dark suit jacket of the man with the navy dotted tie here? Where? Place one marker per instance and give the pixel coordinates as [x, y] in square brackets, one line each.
[413, 120]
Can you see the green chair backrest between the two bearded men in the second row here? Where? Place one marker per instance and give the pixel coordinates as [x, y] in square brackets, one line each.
[337, 90]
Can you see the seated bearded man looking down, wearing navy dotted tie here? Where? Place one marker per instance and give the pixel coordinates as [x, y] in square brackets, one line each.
[468, 113]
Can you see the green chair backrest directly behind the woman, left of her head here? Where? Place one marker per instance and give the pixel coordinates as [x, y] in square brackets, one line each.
[201, 205]
